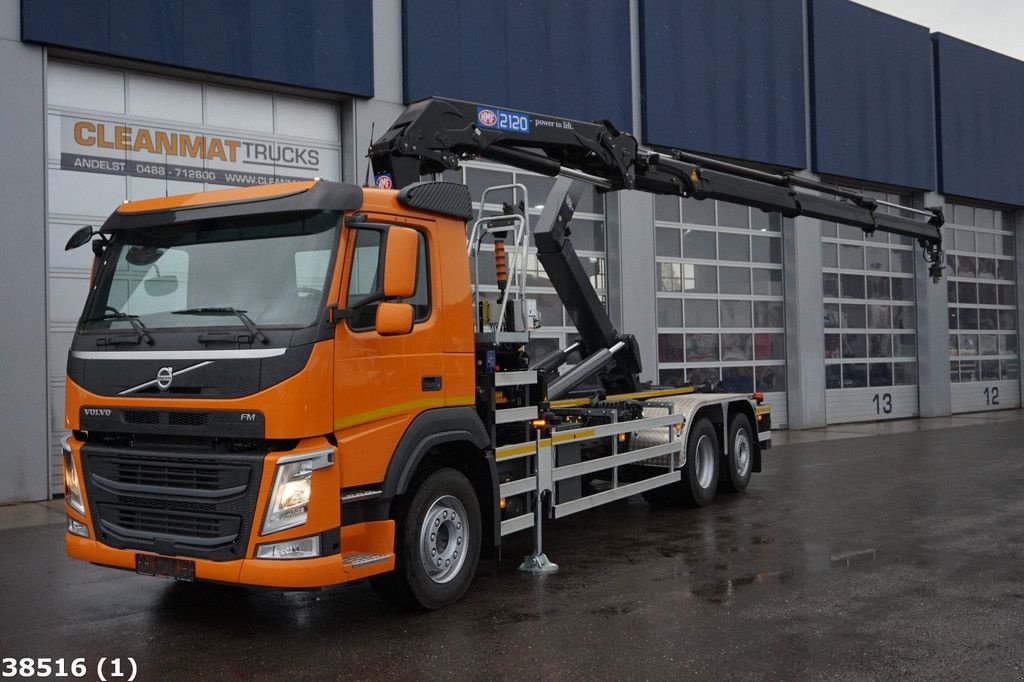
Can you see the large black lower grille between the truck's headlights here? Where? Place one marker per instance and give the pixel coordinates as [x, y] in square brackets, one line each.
[174, 503]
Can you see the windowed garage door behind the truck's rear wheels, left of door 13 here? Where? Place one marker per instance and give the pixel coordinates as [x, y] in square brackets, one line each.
[720, 307]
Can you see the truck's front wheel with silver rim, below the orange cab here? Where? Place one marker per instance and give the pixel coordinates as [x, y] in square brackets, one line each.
[438, 544]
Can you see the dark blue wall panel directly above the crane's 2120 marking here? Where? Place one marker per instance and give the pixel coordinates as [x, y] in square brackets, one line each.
[568, 59]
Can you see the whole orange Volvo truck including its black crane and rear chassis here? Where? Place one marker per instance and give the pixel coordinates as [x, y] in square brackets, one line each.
[307, 385]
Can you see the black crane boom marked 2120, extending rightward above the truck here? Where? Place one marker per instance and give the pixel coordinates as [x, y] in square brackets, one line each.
[434, 136]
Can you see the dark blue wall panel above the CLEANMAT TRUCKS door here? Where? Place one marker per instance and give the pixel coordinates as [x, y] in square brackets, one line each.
[321, 45]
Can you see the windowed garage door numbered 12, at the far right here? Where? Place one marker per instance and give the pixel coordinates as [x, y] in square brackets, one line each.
[985, 368]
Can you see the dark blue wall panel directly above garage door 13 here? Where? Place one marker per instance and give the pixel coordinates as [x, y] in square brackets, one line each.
[873, 108]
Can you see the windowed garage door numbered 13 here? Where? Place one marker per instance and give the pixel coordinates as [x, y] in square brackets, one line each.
[870, 319]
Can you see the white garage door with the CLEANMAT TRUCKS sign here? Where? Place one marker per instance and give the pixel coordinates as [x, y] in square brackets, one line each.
[116, 136]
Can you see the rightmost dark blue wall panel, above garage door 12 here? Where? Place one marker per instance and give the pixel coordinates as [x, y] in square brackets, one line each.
[982, 139]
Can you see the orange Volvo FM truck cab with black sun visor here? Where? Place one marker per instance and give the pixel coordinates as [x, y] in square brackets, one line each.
[245, 376]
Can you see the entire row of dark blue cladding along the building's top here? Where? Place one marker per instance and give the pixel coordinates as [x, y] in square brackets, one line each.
[890, 105]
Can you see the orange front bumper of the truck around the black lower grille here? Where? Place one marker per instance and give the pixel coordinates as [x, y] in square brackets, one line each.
[344, 560]
